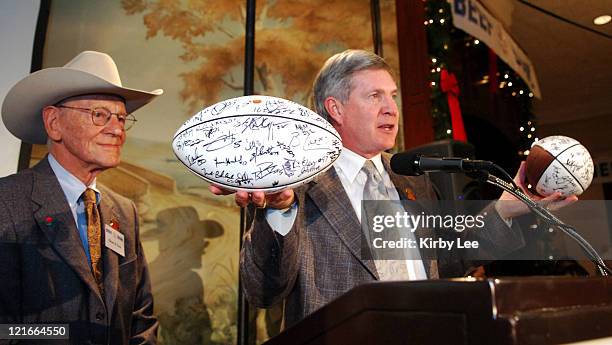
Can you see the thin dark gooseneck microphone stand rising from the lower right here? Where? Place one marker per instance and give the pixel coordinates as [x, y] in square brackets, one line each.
[545, 214]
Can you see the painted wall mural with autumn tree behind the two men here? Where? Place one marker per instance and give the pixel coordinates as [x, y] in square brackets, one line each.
[194, 50]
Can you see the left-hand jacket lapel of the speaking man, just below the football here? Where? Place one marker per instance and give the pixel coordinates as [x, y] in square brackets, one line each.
[329, 196]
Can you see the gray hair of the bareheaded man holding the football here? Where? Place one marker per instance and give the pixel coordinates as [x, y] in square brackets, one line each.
[335, 77]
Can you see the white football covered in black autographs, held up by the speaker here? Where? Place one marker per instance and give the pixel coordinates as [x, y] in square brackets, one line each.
[257, 143]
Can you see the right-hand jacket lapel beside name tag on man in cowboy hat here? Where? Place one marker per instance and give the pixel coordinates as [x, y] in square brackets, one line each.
[110, 258]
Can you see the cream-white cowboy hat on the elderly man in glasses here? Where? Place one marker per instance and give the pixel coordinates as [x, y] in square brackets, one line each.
[89, 72]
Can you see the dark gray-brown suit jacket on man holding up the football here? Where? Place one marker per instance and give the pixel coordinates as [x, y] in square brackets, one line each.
[320, 258]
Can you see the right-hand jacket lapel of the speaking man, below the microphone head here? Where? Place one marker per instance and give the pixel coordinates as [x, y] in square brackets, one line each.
[409, 189]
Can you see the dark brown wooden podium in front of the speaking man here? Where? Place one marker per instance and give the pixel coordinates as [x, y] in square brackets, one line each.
[533, 310]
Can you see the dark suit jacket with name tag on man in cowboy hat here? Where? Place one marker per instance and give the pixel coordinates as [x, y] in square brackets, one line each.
[44, 270]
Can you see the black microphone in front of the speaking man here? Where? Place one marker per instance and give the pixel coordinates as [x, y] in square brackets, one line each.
[414, 164]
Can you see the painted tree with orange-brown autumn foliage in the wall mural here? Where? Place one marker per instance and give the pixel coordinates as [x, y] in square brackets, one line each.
[293, 39]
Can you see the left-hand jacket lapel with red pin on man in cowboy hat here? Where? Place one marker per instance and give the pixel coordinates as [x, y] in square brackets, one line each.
[55, 220]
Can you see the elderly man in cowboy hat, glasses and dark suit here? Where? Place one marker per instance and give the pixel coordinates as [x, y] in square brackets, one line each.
[70, 251]
